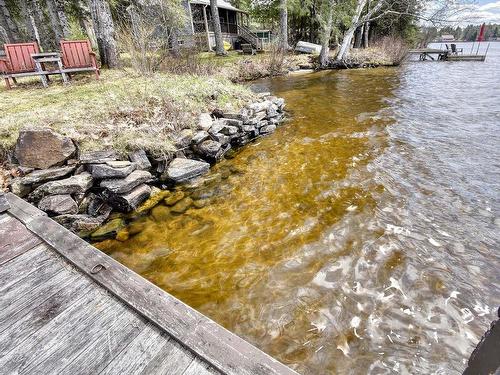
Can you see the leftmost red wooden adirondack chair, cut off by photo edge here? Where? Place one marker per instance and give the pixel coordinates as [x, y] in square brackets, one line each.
[18, 61]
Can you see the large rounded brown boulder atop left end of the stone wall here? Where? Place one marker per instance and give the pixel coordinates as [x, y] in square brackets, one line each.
[42, 148]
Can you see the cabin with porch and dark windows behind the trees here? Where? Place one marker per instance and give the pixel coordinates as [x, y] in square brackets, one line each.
[235, 26]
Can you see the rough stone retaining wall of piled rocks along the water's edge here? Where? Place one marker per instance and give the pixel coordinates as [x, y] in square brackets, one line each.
[84, 190]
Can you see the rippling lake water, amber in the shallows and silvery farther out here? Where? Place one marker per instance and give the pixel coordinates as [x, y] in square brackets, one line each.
[362, 236]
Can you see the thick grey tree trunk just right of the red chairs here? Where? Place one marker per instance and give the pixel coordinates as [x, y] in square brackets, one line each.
[105, 32]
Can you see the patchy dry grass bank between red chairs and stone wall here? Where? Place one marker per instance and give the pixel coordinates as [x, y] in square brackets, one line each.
[123, 110]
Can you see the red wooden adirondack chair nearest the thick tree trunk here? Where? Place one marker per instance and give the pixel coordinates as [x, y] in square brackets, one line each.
[77, 56]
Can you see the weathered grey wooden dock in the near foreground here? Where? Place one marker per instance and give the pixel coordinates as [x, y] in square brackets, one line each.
[67, 308]
